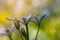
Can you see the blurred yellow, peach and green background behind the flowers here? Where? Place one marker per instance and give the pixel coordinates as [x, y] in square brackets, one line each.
[50, 27]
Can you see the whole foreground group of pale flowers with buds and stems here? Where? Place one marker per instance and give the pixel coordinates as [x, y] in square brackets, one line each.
[24, 32]
